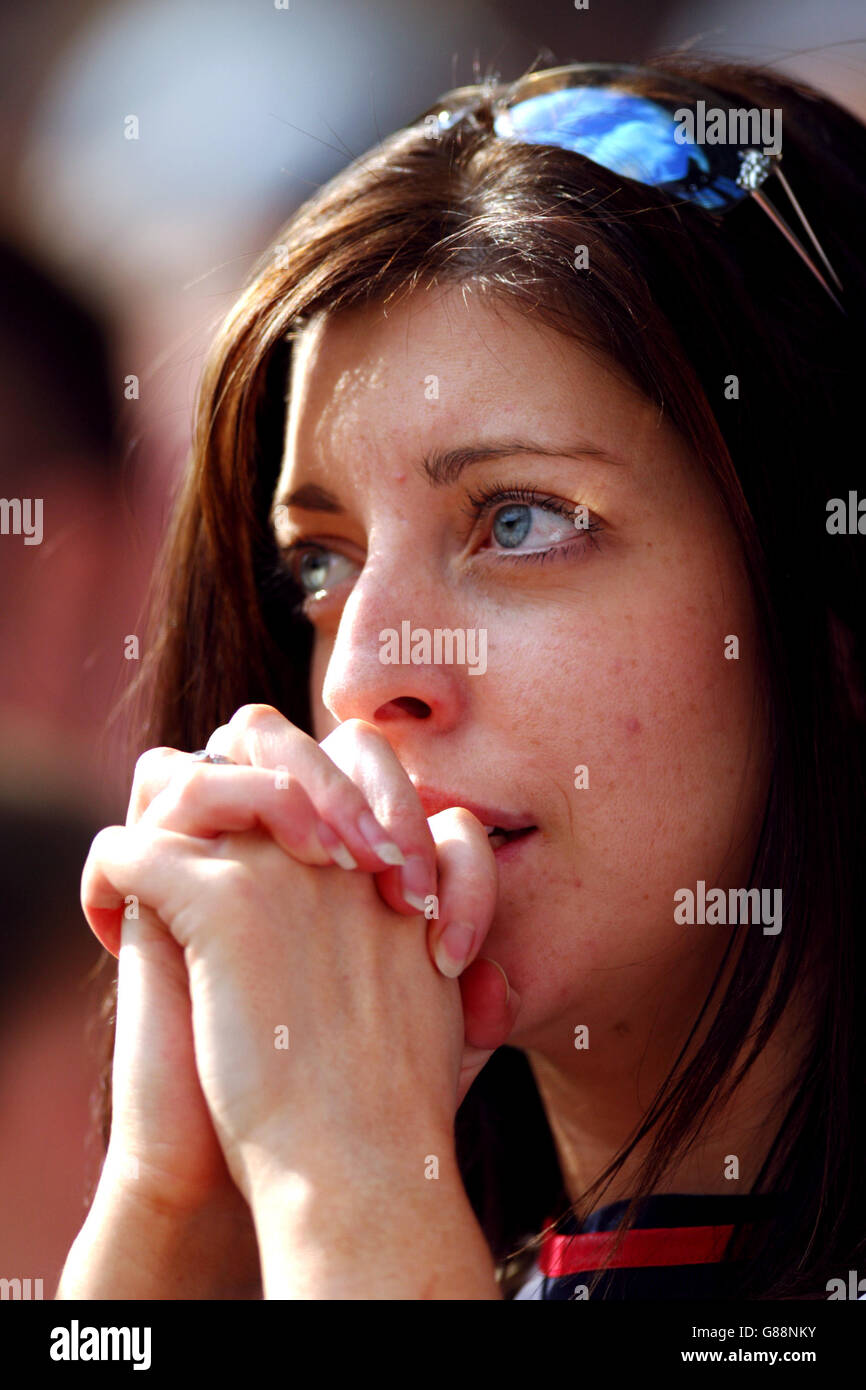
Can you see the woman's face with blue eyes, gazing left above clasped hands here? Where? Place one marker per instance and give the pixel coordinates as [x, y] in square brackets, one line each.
[596, 605]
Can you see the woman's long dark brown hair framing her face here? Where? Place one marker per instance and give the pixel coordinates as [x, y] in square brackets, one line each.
[680, 304]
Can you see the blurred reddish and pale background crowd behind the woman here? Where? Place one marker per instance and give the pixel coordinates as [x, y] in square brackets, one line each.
[119, 258]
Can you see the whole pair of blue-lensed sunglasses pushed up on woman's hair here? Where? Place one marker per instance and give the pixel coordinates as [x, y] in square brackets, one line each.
[642, 124]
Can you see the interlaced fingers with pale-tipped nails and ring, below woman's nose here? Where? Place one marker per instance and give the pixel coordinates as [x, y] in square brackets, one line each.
[351, 793]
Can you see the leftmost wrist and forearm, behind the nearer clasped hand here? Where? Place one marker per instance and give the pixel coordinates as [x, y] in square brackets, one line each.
[168, 1220]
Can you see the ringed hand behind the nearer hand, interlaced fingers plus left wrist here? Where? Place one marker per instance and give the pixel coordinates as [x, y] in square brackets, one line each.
[165, 1163]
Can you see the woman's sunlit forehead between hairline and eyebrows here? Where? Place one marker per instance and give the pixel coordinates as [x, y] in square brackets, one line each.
[436, 366]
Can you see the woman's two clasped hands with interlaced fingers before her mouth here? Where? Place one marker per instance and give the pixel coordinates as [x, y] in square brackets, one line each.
[286, 1031]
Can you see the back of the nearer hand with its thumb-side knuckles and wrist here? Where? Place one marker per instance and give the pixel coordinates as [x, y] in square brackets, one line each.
[329, 1049]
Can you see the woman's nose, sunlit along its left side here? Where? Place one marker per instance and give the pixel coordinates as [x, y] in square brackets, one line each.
[393, 615]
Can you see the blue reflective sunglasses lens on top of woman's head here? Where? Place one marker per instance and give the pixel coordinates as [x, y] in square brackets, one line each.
[628, 134]
